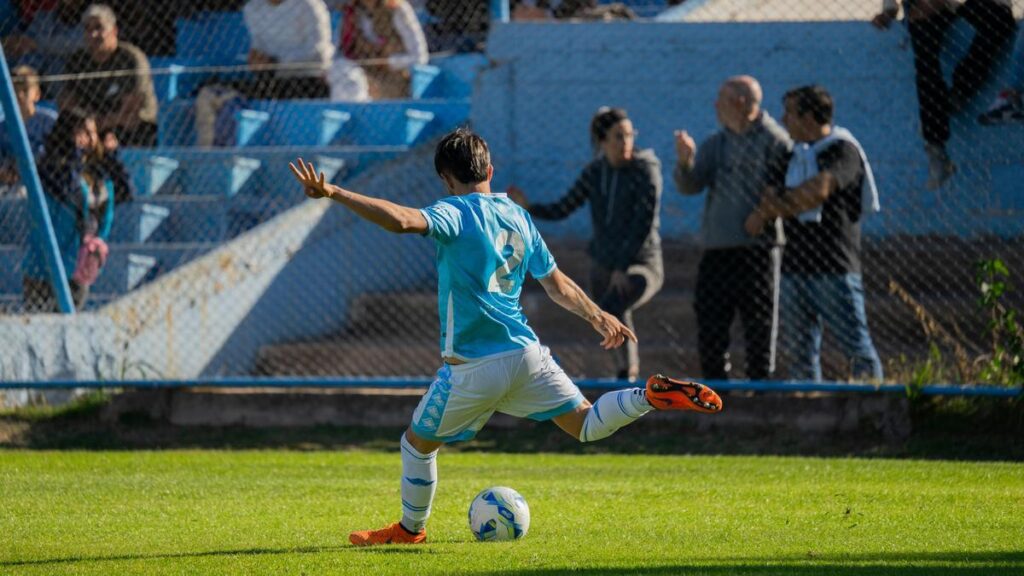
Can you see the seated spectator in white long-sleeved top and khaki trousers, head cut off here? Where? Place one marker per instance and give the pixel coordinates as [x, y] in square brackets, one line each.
[290, 52]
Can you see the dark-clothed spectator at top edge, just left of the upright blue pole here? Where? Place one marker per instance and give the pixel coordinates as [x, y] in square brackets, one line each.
[458, 26]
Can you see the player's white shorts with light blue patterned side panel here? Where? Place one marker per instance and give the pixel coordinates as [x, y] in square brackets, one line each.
[526, 383]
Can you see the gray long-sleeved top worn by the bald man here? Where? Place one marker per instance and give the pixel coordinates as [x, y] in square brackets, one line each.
[736, 170]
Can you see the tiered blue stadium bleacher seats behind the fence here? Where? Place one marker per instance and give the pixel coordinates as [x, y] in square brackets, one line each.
[190, 200]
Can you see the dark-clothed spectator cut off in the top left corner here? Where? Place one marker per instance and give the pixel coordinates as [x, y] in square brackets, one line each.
[51, 37]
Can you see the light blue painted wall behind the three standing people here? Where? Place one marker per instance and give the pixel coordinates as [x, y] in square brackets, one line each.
[535, 105]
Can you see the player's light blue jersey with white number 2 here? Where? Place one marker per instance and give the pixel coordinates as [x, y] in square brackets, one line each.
[486, 246]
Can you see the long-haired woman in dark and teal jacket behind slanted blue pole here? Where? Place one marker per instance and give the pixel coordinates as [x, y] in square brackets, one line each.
[83, 180]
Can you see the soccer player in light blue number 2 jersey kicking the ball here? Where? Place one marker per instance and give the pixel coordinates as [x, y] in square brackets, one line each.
[493, 361]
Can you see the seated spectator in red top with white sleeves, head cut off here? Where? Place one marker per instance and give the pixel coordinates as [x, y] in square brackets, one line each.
[387, 31]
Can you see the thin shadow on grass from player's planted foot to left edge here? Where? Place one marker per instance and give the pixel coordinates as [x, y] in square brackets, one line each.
[211, 554]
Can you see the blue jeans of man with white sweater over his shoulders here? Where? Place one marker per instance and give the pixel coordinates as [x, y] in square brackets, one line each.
[808, 304]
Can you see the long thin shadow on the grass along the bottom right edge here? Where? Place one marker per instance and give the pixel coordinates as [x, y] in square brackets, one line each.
[923, 564]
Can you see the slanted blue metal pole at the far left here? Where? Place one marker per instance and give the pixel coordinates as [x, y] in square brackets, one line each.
[42, 228]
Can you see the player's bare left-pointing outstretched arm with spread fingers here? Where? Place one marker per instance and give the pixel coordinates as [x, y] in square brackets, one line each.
[389, 216]
